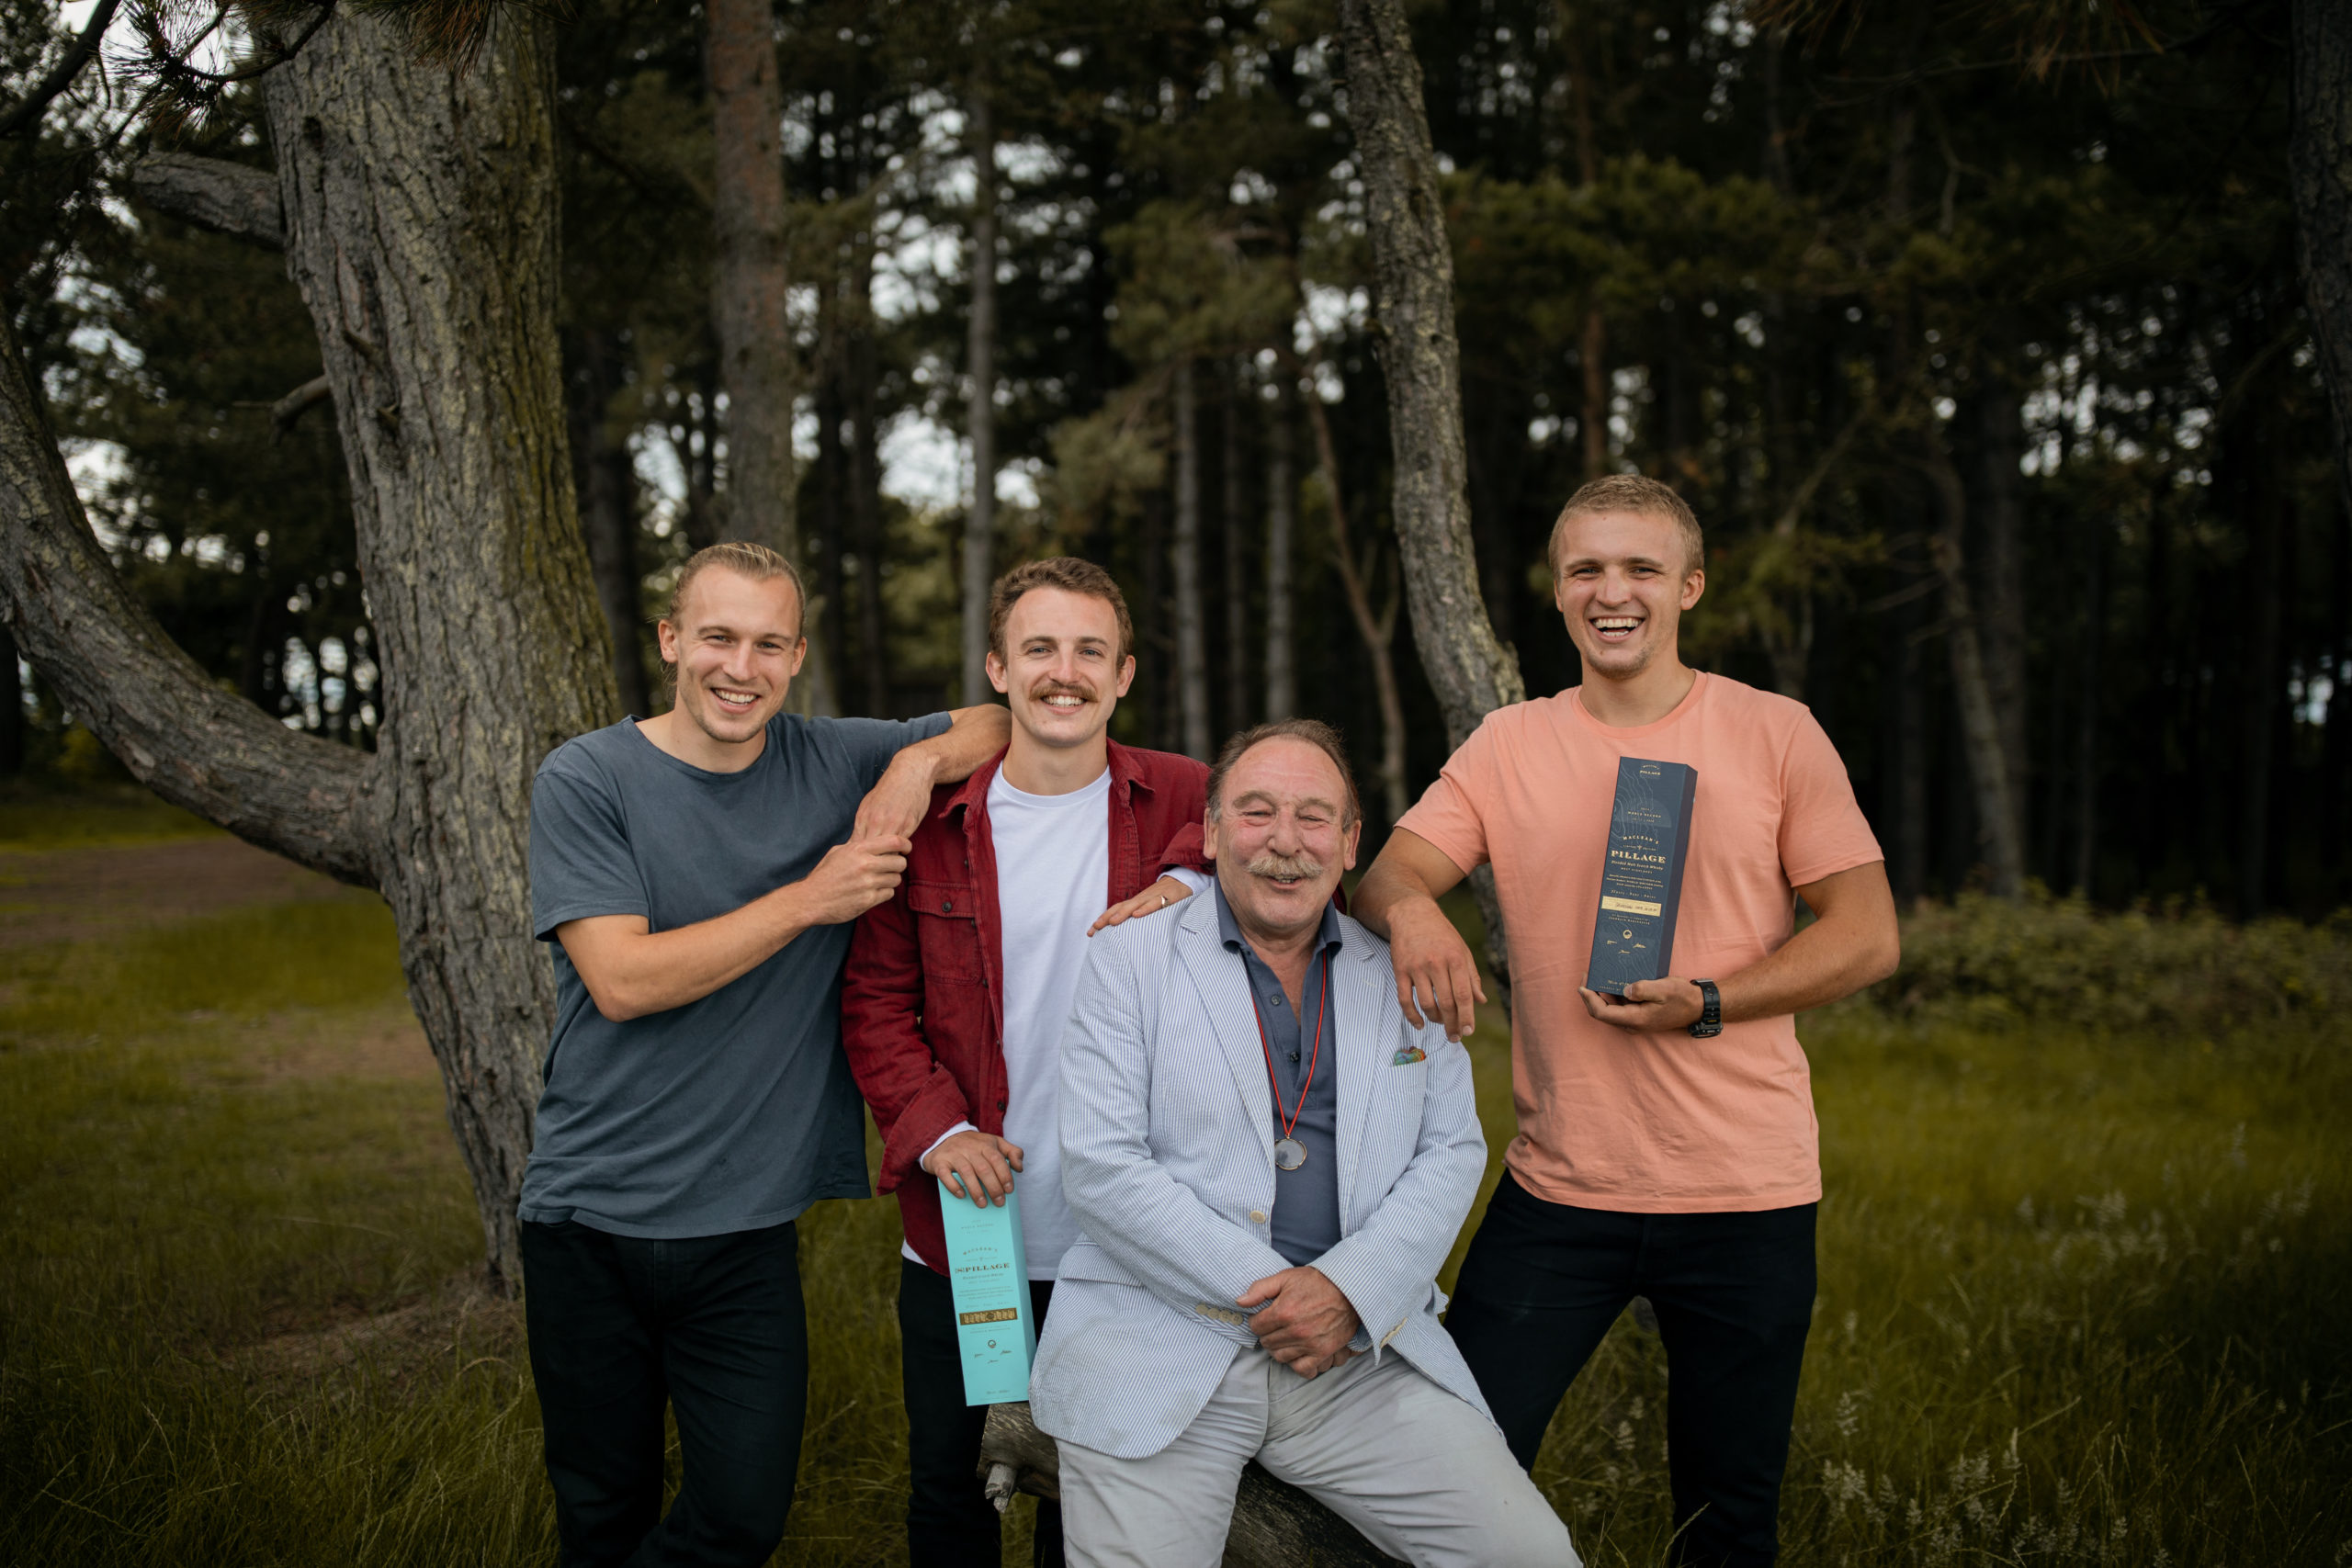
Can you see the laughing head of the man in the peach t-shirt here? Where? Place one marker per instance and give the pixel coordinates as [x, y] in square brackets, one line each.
[1624, 579]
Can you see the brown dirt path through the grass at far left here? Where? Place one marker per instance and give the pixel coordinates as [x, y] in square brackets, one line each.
[79, 894]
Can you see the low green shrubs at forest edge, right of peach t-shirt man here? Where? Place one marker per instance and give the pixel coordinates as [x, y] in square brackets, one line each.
[2186, 970]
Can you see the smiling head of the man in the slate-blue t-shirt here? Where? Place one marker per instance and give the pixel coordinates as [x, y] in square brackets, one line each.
[737, 648]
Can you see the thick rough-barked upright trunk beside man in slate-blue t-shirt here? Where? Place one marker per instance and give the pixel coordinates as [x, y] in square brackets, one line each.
[422, 236]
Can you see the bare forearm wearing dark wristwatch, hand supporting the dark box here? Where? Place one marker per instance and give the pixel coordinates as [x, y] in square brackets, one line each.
[1855, 942]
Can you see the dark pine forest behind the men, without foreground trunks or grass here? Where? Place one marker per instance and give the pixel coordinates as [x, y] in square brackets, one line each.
[1812, 281]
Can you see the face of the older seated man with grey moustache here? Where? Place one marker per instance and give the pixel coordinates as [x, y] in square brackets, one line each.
[1278, 836]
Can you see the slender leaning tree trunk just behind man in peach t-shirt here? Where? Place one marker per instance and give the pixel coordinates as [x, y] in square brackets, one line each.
[1469, 666]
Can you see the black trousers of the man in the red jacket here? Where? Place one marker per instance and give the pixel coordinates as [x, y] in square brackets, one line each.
[949, 1520]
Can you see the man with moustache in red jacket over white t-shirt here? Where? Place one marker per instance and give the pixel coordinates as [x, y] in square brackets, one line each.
[961, 984]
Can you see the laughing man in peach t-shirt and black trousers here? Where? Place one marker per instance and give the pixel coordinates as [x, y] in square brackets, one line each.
[1666, 1139]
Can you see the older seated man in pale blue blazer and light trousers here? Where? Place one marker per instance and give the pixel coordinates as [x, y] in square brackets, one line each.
[1269, 1167]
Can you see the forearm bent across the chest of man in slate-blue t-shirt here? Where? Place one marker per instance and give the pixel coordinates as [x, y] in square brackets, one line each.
[634, 972]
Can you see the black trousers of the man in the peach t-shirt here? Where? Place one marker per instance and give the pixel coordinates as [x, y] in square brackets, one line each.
[1735, 1299]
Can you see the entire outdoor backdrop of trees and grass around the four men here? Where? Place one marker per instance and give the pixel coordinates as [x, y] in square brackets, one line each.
[401, 363]
